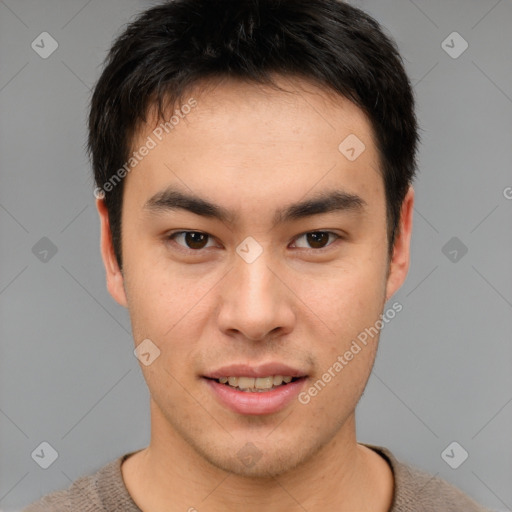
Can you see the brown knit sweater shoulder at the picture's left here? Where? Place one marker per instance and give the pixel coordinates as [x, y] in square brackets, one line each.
[92, 493]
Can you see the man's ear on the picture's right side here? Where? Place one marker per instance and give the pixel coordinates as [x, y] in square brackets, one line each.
[399, 264]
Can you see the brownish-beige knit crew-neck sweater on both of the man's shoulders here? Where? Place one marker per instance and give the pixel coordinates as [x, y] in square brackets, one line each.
[104, 491]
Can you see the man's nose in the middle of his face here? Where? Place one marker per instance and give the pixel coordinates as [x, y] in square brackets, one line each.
[256, 302]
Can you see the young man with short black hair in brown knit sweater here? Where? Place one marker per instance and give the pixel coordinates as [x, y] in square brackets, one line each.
[254, 162]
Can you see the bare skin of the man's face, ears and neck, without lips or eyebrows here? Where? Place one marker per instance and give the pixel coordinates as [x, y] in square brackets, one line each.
[253, 150]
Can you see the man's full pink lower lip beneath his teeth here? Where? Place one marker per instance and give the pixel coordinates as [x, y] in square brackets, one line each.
[256, 403]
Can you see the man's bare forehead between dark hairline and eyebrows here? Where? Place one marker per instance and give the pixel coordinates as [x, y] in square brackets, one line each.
[243, 138]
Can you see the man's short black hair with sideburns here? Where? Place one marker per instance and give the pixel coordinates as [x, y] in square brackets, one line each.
[175, 45]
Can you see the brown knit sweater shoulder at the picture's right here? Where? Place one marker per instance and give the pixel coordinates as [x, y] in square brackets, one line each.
[417, 490]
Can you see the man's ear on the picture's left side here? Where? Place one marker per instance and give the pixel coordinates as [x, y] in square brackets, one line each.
[115, 279]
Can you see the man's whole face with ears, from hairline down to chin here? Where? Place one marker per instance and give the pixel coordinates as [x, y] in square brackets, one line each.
[254, 247]
